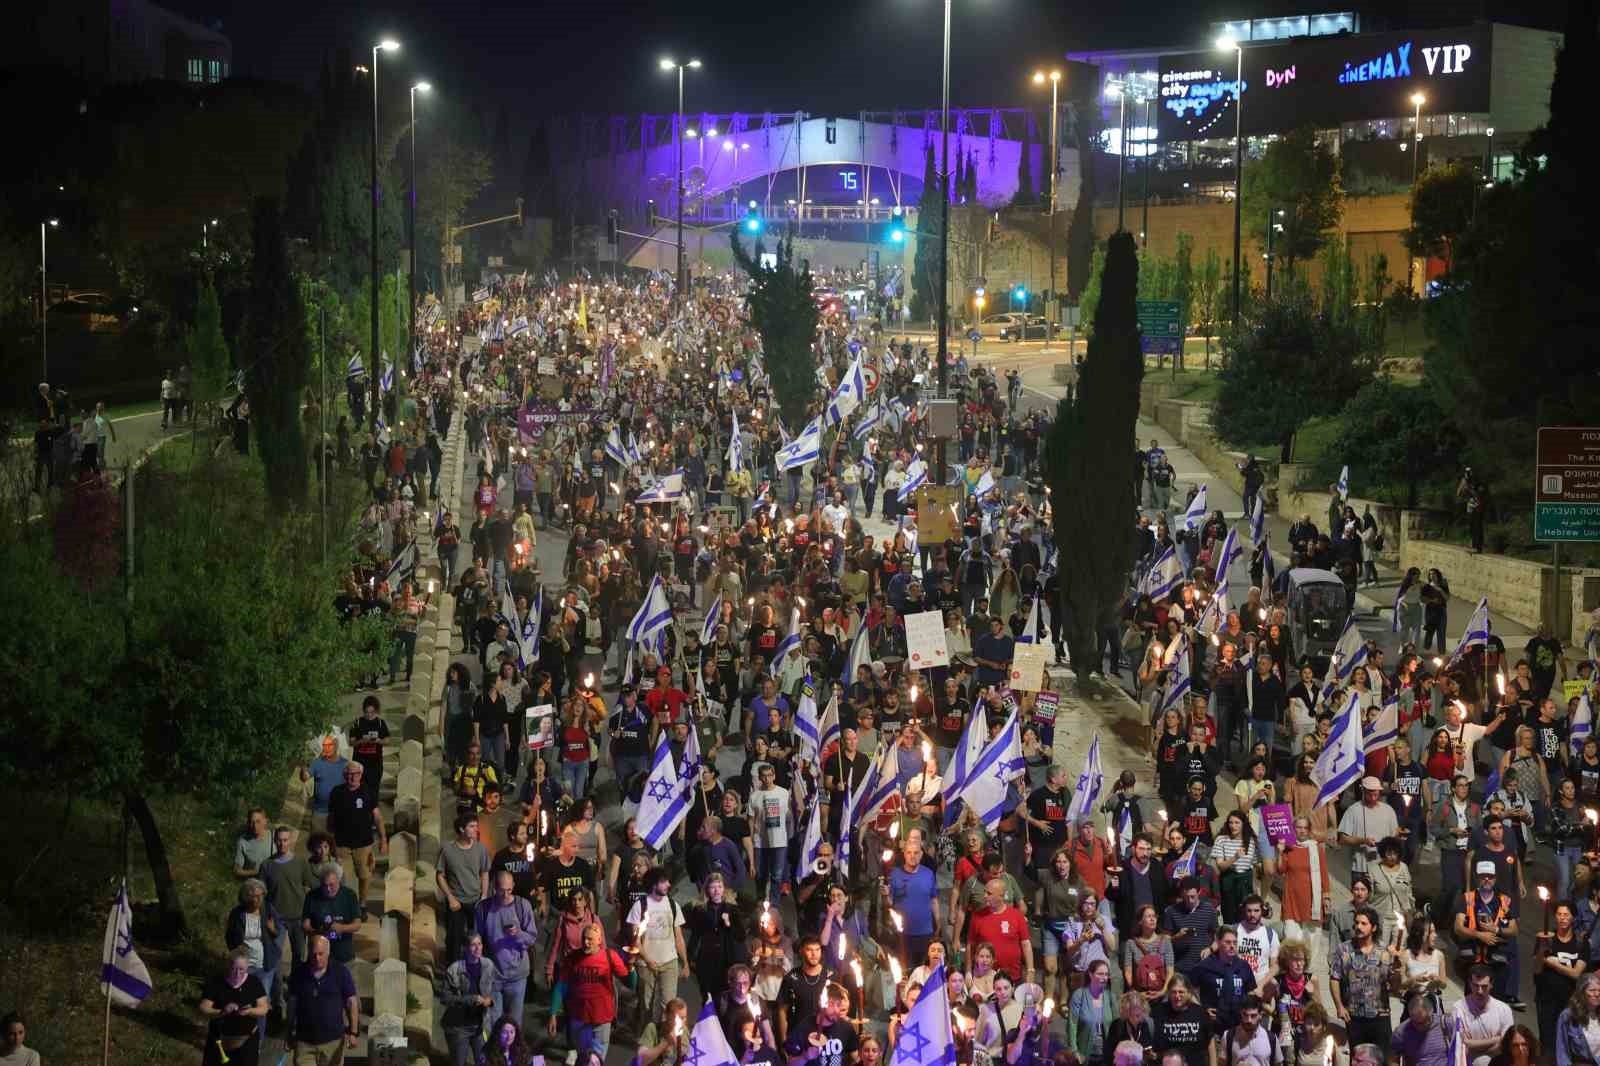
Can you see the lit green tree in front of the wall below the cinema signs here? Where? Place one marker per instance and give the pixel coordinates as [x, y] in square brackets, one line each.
[1302, 178]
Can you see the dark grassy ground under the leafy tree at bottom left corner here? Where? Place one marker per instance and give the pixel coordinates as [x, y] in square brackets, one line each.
[57, 897]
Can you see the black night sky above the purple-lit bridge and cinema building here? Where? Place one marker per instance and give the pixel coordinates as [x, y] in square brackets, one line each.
[826, 57]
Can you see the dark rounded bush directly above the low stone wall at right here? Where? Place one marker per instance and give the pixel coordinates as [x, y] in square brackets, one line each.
[1393, 435]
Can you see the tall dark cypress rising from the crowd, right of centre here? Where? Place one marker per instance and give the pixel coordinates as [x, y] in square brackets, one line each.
[1087, 462]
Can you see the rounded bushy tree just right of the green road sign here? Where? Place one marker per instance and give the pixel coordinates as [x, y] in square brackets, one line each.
[1286, 364]
